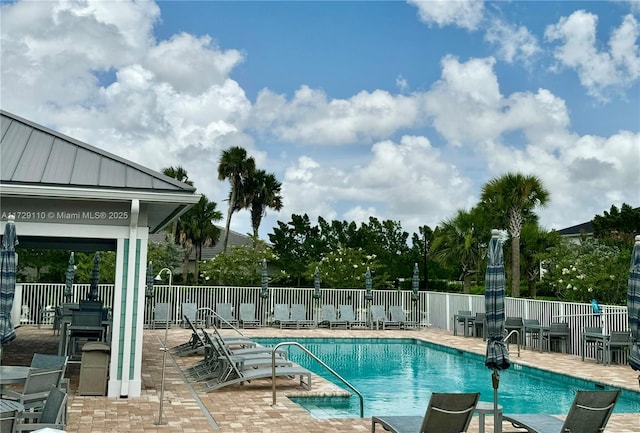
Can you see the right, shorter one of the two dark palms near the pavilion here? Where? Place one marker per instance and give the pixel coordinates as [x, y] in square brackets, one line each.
[263, 192]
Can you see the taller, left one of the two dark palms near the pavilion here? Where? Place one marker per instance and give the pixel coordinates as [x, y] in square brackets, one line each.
[238, 168]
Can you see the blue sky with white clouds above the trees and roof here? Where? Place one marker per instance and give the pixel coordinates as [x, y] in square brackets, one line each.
[398, 110]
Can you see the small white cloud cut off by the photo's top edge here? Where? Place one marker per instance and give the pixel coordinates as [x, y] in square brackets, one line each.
[462, 13]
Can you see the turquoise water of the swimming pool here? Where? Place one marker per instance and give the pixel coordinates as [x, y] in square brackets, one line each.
[397, 377]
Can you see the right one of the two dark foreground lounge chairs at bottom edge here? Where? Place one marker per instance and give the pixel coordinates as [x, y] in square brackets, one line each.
[589, 413]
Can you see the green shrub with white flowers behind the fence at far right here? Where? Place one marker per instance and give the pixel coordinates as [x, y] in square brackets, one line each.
[585, 271]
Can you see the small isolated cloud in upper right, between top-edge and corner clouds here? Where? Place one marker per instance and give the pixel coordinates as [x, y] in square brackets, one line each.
[514, 43]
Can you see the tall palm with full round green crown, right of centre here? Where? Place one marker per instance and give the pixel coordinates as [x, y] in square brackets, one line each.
[510, 200]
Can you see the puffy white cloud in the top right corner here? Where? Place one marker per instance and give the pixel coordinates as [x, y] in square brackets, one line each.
[597, 69]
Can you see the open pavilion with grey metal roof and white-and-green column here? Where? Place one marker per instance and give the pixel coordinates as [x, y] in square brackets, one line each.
[66, 194]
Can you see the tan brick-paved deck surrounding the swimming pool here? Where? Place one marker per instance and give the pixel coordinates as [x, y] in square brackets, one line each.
[248, 408]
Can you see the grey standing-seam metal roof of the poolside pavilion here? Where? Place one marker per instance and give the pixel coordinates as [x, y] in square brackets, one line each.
[31, 153]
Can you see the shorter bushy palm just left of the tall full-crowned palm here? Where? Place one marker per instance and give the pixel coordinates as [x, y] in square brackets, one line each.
[458, 243]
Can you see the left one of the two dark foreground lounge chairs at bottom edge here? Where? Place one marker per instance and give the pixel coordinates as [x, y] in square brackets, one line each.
[446, 413]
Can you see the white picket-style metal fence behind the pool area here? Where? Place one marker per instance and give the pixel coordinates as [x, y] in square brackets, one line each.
[433, 309]
